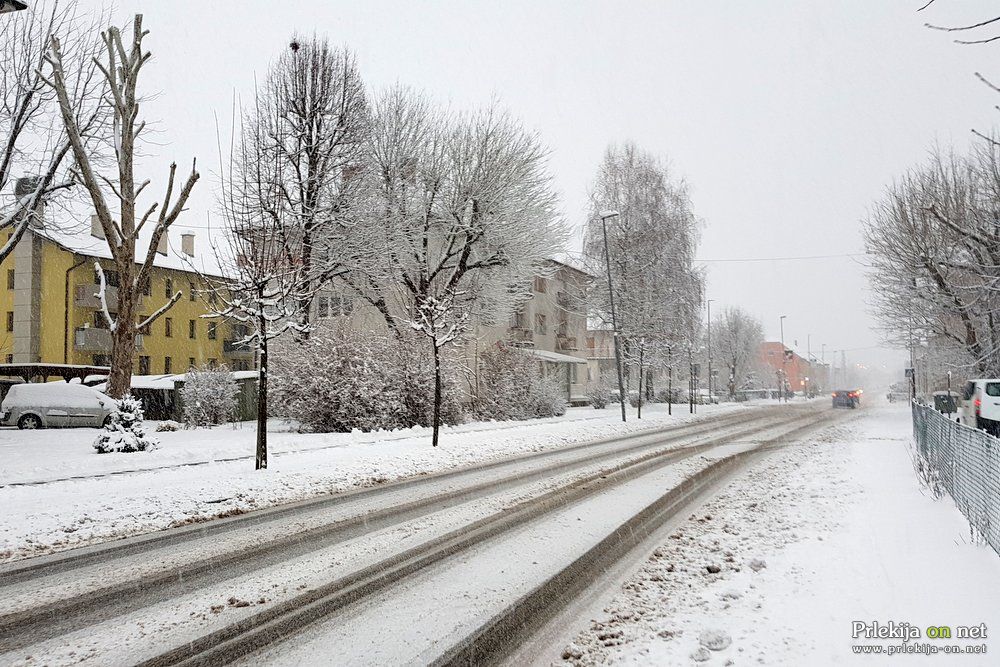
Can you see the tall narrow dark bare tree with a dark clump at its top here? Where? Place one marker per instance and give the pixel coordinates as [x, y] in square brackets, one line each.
[313, 114]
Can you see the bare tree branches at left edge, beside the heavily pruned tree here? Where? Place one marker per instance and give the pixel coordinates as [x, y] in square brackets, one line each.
[32, 139]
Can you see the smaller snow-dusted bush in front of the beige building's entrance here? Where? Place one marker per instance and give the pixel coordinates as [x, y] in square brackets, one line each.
[512, 387]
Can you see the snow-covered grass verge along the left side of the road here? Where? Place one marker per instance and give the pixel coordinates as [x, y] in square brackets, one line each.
[57, 493]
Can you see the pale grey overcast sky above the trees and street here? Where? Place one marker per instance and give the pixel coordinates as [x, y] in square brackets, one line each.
[786, 118]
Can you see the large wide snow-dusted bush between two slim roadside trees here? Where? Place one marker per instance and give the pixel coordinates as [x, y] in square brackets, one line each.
[339, 380]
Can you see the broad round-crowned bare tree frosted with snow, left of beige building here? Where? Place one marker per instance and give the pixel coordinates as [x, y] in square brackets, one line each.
[465, 215]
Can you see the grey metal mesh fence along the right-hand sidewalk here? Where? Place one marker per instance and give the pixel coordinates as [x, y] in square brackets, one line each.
[964, 463]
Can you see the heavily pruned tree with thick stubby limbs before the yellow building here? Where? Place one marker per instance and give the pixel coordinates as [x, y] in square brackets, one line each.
[119, 192]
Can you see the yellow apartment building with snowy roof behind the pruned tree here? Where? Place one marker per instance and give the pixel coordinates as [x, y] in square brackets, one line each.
[53, 315]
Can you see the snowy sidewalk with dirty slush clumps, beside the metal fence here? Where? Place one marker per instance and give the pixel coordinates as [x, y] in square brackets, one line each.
[811, 540]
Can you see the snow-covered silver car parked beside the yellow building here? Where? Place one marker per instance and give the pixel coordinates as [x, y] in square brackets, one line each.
[55, 405]
